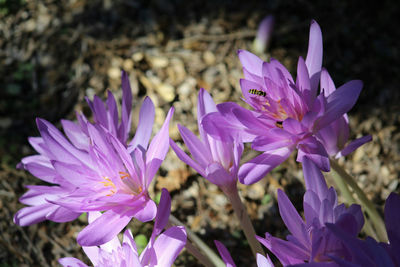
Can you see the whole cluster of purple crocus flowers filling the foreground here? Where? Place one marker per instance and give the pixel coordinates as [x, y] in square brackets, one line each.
[93, 168]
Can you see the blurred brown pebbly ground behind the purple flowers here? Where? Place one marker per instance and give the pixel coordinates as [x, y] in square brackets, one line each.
[53, 53]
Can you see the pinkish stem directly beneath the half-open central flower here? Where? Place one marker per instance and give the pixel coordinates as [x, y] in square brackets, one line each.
[245, 222]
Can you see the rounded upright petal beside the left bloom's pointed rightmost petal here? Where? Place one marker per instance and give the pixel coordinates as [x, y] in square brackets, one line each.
[146, 119]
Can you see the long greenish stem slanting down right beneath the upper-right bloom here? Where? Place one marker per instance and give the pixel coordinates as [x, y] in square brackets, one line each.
[373, 214]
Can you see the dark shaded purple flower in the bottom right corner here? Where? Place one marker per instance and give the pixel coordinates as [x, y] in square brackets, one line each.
[368, 252]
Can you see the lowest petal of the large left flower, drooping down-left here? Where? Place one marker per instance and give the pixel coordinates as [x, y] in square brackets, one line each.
[104, 228]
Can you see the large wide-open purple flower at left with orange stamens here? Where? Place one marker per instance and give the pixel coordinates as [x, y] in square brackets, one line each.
[95, 170]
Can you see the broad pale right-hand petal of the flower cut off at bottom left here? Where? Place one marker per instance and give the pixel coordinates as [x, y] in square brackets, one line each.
[169, 244]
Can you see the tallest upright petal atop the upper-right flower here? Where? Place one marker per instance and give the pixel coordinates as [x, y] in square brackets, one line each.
[314, 54]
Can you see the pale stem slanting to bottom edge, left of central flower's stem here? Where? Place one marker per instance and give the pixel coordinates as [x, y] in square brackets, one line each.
[210, 258]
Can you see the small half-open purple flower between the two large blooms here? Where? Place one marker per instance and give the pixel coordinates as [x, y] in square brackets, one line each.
[215, 160]
